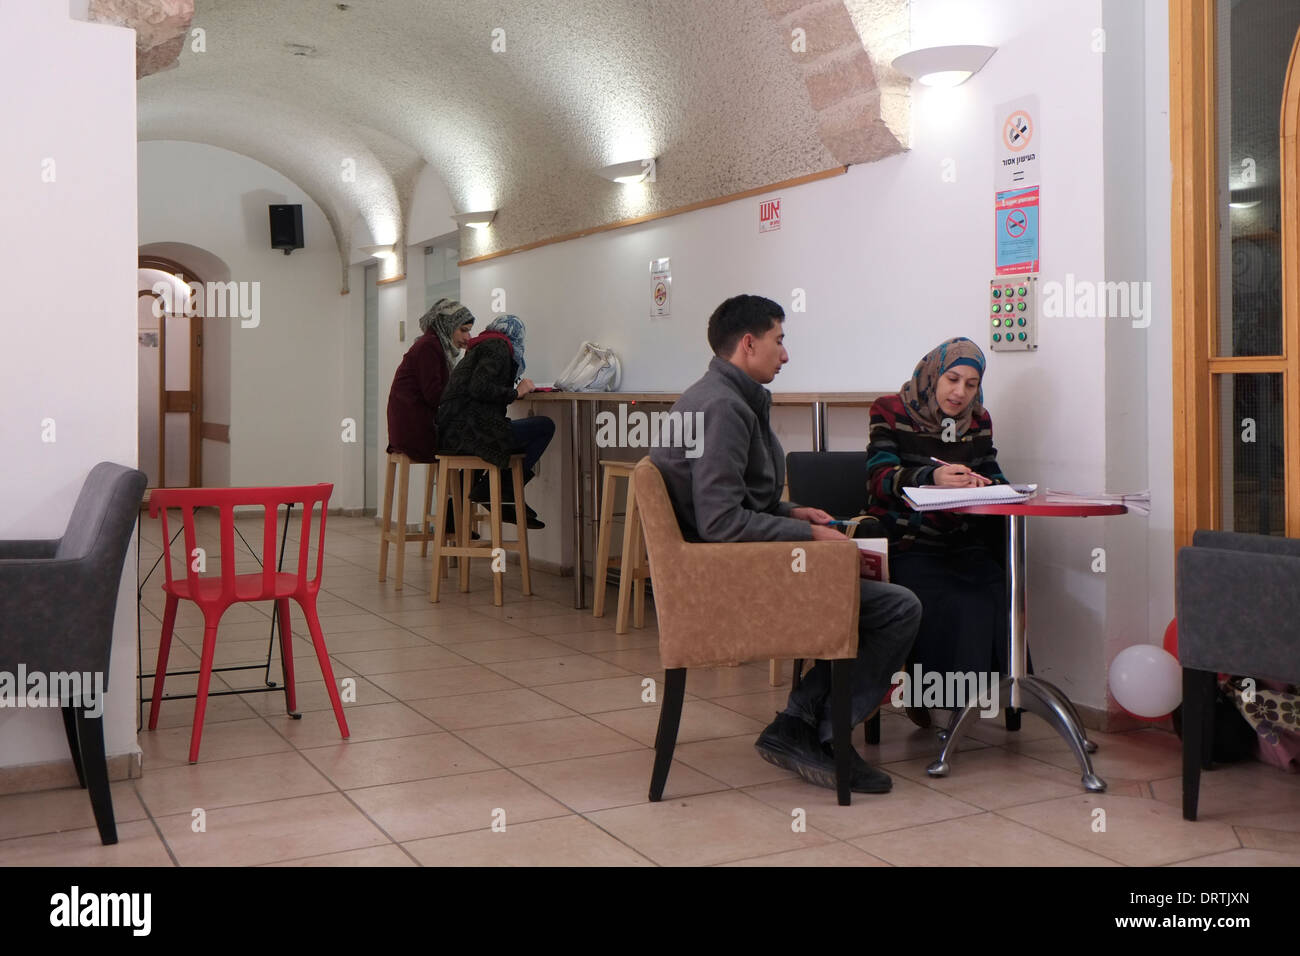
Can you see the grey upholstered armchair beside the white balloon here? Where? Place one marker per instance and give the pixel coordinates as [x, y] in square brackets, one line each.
[1238, 603]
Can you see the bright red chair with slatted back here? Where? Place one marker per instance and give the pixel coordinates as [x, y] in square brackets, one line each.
[214, 595]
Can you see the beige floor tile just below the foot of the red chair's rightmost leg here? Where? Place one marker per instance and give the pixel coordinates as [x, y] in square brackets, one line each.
[372, 763]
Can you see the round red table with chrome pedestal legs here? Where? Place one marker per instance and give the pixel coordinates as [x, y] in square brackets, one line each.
[1019, 689]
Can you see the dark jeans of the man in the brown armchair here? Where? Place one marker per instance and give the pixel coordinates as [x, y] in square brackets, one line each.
[887, 626]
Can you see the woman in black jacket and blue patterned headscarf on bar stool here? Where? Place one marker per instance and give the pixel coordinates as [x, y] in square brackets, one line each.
[473, 417]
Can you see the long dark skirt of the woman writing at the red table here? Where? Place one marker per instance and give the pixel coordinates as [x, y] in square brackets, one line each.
[964, 609]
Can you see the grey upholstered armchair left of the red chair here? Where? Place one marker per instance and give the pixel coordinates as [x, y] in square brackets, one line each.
[58, 603]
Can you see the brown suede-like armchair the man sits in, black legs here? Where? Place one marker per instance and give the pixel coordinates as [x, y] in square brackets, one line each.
[722, 604]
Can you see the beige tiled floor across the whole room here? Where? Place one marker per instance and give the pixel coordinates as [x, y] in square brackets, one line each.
[521, 736]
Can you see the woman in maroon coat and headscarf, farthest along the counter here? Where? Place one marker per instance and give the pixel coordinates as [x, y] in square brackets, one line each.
[423, 375]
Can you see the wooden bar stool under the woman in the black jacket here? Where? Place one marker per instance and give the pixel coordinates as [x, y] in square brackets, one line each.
[457, 471]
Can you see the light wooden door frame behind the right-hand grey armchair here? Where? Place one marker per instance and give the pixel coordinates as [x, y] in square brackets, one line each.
[1195, 227]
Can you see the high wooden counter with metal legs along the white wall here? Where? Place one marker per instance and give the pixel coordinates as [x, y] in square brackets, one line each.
[583, 442]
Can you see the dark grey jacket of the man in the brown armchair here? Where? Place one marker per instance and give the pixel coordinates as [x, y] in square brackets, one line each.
[733, 491]
